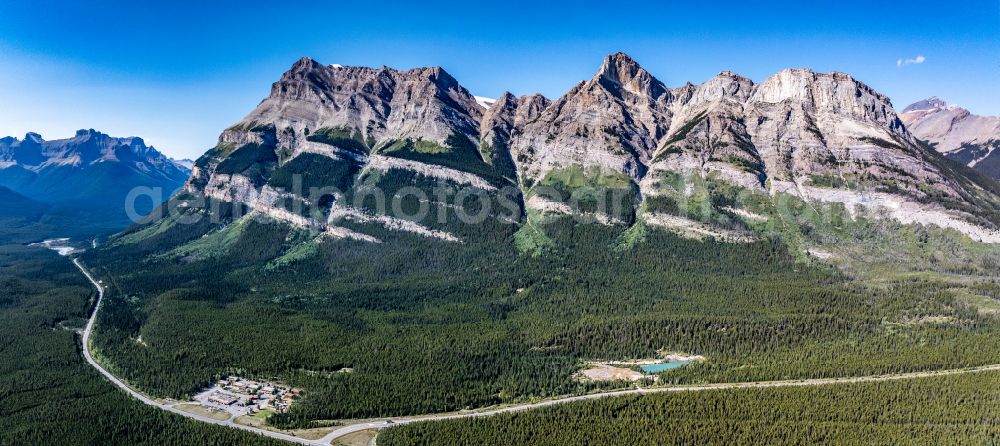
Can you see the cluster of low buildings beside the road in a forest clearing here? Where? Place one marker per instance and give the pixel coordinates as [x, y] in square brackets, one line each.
[252, 395]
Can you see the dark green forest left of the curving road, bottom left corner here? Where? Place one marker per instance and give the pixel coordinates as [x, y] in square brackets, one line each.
[48, 394]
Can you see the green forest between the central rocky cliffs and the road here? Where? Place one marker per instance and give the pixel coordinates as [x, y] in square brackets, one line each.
[429, 326]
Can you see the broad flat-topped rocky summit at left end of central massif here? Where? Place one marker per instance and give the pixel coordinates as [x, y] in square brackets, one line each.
[381, 104]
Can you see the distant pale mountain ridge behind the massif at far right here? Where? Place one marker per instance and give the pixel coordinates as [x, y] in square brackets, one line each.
[954, 131]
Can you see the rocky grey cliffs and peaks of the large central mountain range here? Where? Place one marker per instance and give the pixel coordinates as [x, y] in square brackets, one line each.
[702, 160]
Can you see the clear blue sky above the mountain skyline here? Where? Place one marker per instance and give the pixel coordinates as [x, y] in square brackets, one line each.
[178, 72]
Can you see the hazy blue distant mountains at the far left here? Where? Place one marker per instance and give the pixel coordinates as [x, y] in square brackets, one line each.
[85, 179]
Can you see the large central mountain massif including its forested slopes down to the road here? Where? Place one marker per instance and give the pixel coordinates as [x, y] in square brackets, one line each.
[447, 252]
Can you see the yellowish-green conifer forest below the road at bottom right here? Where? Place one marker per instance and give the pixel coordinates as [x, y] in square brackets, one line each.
[953, 410]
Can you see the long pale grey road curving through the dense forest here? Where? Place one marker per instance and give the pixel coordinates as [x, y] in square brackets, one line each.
[389, 422]
